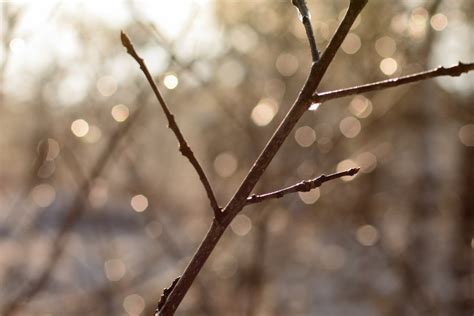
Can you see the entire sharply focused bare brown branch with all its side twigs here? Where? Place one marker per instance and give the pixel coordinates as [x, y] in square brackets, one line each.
[306, 97]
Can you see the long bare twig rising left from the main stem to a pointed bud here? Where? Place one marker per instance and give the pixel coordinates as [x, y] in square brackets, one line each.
[183, 145]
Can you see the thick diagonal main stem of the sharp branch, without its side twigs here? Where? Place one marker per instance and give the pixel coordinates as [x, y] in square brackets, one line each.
[239, 200]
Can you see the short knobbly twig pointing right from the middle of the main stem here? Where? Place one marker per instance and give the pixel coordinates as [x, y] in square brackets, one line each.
[303, 186]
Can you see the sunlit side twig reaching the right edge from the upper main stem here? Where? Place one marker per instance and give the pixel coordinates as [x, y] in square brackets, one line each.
[453, 71]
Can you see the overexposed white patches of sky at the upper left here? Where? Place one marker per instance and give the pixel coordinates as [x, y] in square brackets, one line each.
[42, 36]
